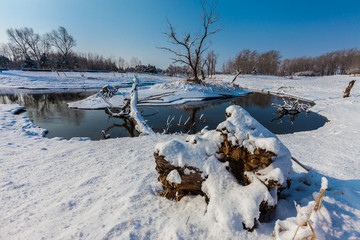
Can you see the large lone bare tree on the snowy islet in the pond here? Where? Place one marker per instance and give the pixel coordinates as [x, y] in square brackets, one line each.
[193, 47]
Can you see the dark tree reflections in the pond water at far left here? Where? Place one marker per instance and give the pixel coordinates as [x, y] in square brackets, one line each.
[42, 106]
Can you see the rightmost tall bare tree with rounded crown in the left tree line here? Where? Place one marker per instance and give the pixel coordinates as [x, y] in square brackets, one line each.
[62, 40]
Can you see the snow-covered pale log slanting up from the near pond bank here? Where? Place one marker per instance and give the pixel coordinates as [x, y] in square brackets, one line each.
[140, 124]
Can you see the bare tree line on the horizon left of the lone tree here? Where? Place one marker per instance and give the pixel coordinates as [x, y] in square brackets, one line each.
[27, 49]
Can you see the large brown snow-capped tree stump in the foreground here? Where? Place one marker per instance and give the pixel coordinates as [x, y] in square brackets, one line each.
[240, 168]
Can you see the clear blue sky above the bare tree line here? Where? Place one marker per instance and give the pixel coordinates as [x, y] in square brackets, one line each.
[133, 28]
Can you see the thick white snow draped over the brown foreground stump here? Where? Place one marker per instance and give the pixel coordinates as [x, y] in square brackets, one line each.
[231, 204]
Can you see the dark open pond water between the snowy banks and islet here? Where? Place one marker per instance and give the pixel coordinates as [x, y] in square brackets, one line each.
[49, 111]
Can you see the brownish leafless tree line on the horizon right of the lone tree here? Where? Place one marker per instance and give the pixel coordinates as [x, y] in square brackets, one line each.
[345, 61]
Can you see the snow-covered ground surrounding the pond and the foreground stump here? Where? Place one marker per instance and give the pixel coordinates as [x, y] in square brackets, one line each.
[81, 189]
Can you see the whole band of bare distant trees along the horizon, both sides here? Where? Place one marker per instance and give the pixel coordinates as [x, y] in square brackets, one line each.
[54, 51]
